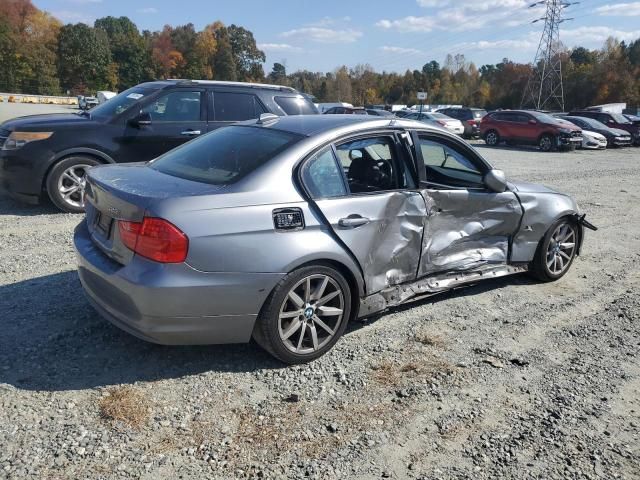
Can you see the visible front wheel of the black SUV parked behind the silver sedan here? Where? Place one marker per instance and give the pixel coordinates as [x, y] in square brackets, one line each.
[57, 180]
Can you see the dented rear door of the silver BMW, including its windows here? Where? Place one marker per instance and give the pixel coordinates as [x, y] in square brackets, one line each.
[365, 189]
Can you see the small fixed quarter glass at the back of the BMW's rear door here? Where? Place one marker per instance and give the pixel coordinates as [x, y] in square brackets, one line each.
[322, 176]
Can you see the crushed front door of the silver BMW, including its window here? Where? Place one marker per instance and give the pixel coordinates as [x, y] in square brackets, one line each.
[467, 224]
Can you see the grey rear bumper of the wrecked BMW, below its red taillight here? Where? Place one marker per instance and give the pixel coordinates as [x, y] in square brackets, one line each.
[171, 304]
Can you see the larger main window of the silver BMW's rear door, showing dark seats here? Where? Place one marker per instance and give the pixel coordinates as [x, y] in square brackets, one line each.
[371, 165]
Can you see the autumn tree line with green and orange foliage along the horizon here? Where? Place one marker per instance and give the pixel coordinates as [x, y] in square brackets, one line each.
[40, 55]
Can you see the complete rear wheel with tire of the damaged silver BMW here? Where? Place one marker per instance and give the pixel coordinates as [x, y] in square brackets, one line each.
[305, 315]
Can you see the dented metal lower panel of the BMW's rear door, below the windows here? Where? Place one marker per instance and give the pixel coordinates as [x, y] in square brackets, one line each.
[387, 245]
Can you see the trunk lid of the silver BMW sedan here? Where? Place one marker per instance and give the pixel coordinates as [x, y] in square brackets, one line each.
[123, 192]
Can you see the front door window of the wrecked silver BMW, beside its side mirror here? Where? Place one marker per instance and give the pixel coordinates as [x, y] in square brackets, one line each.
[447, 166]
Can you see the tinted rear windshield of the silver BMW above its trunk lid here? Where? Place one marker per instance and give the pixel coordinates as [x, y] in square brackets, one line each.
[225, 155]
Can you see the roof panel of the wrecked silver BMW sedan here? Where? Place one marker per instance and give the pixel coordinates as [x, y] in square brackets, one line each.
[309, 125]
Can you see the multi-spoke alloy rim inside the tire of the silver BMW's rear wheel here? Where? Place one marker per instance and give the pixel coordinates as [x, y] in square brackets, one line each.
[311, 314]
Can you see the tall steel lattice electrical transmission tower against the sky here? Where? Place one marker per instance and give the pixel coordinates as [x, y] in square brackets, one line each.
[544, 89]
